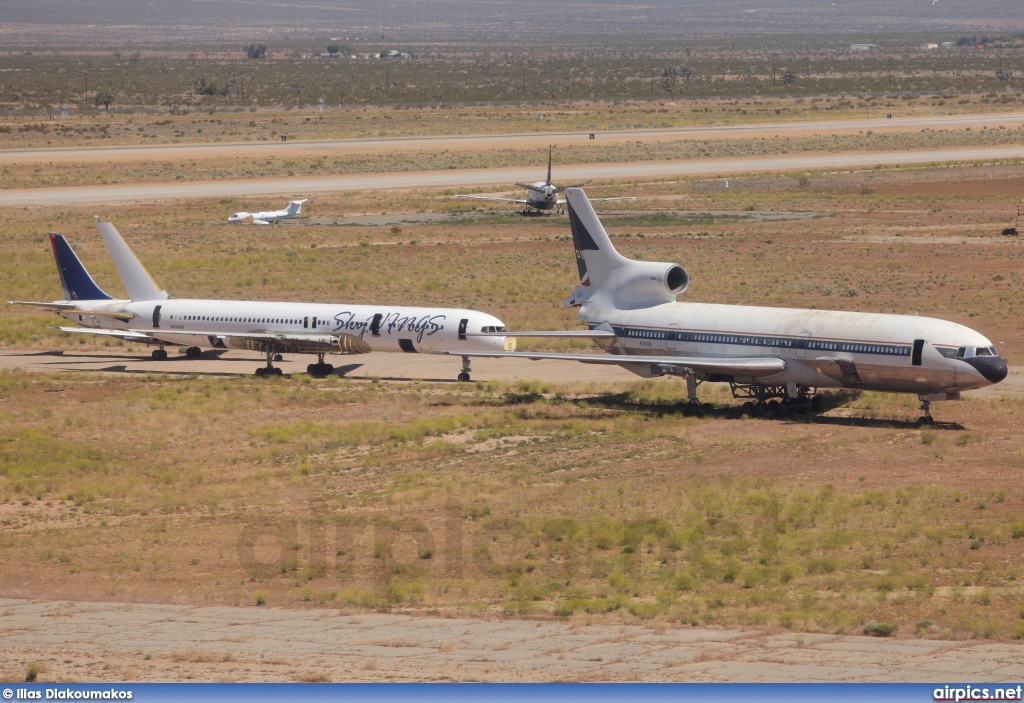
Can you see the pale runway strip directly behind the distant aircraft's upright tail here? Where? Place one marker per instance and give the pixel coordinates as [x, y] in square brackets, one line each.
[482, 178]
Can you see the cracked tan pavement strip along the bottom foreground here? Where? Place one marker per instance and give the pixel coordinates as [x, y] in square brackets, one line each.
[112, 642]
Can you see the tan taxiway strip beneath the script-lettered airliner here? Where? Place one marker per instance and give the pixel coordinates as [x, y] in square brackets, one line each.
[385, 367]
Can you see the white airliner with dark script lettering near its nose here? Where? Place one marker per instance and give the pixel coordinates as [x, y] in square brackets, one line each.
[149, 317]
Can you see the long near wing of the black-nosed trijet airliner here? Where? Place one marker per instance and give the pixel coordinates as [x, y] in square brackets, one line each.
[749, 367]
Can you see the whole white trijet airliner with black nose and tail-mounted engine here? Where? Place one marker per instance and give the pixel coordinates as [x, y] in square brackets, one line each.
[766, 355]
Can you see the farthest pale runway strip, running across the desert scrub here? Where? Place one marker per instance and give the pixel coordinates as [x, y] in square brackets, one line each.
[479, 142]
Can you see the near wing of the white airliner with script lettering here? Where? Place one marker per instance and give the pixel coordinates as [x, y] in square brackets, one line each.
[295, 343]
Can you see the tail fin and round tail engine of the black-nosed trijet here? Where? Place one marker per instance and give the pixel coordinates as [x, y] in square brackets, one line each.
[623, 283]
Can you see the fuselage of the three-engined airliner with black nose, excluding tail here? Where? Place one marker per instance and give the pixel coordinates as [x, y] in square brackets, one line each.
[822, 348]
